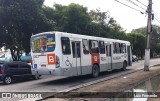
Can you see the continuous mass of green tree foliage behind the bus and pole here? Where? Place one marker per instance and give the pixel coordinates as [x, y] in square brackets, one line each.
[21, 18]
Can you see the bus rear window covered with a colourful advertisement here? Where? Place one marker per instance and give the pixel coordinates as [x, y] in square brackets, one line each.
[43, 43]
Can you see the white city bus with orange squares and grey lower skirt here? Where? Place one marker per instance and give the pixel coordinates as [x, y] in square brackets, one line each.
[66, 54]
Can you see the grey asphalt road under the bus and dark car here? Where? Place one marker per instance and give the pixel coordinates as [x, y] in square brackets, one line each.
[55, 84]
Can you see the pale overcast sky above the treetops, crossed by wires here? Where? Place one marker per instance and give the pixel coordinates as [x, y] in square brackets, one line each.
[128, 18]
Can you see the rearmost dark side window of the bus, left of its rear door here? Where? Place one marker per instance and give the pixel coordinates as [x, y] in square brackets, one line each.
[66, 50]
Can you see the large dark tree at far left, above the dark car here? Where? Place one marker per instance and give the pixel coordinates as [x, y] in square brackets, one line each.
[19, 20]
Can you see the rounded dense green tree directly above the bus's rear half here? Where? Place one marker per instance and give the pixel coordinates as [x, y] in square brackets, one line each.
[73, 18]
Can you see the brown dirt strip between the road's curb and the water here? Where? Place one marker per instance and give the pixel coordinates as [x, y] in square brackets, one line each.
[118, 84]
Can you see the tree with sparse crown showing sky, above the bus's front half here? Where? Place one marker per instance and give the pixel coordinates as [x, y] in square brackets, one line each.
[108, 27]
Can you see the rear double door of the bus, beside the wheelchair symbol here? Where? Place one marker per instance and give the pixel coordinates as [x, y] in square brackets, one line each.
[76, 61]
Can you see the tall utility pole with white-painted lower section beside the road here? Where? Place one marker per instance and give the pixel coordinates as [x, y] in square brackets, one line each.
[147, 50]
